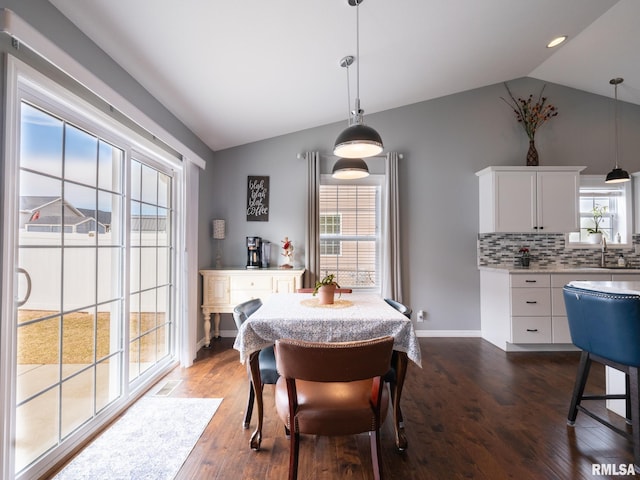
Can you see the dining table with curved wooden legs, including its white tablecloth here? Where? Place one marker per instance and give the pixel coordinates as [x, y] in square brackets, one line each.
[352, 317]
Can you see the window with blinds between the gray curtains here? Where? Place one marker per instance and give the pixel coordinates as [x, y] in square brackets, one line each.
[349, 233]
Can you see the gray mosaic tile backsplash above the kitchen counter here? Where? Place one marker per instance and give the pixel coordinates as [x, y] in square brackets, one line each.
[548, 250]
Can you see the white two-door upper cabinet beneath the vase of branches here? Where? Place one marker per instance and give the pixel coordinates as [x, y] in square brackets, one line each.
[529, 199]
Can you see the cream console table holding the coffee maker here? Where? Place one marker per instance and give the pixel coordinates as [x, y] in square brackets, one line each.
[223, 289]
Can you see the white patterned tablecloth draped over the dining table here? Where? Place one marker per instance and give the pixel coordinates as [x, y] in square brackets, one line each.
[357, 316]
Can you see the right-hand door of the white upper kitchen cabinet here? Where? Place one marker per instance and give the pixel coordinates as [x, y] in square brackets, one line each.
[558, 202]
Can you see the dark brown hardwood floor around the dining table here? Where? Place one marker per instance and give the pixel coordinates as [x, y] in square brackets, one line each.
[472, 412]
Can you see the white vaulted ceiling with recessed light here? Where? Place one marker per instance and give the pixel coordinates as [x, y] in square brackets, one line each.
[242, 71]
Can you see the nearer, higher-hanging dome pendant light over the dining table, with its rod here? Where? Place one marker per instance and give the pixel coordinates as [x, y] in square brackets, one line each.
[357, 140]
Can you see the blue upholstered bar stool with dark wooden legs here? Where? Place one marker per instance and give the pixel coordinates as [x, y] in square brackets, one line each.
[607, 329]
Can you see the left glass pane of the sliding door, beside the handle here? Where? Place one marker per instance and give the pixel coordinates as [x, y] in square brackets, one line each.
[70, 260]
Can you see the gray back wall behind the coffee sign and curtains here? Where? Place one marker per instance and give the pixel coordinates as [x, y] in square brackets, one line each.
[444, 142]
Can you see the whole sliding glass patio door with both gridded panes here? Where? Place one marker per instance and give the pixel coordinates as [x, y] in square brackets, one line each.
[94, 266]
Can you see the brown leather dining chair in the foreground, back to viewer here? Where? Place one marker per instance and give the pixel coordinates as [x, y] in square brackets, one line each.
[333, 389]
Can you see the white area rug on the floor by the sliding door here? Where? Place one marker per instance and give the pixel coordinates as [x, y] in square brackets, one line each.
[151, 441]
